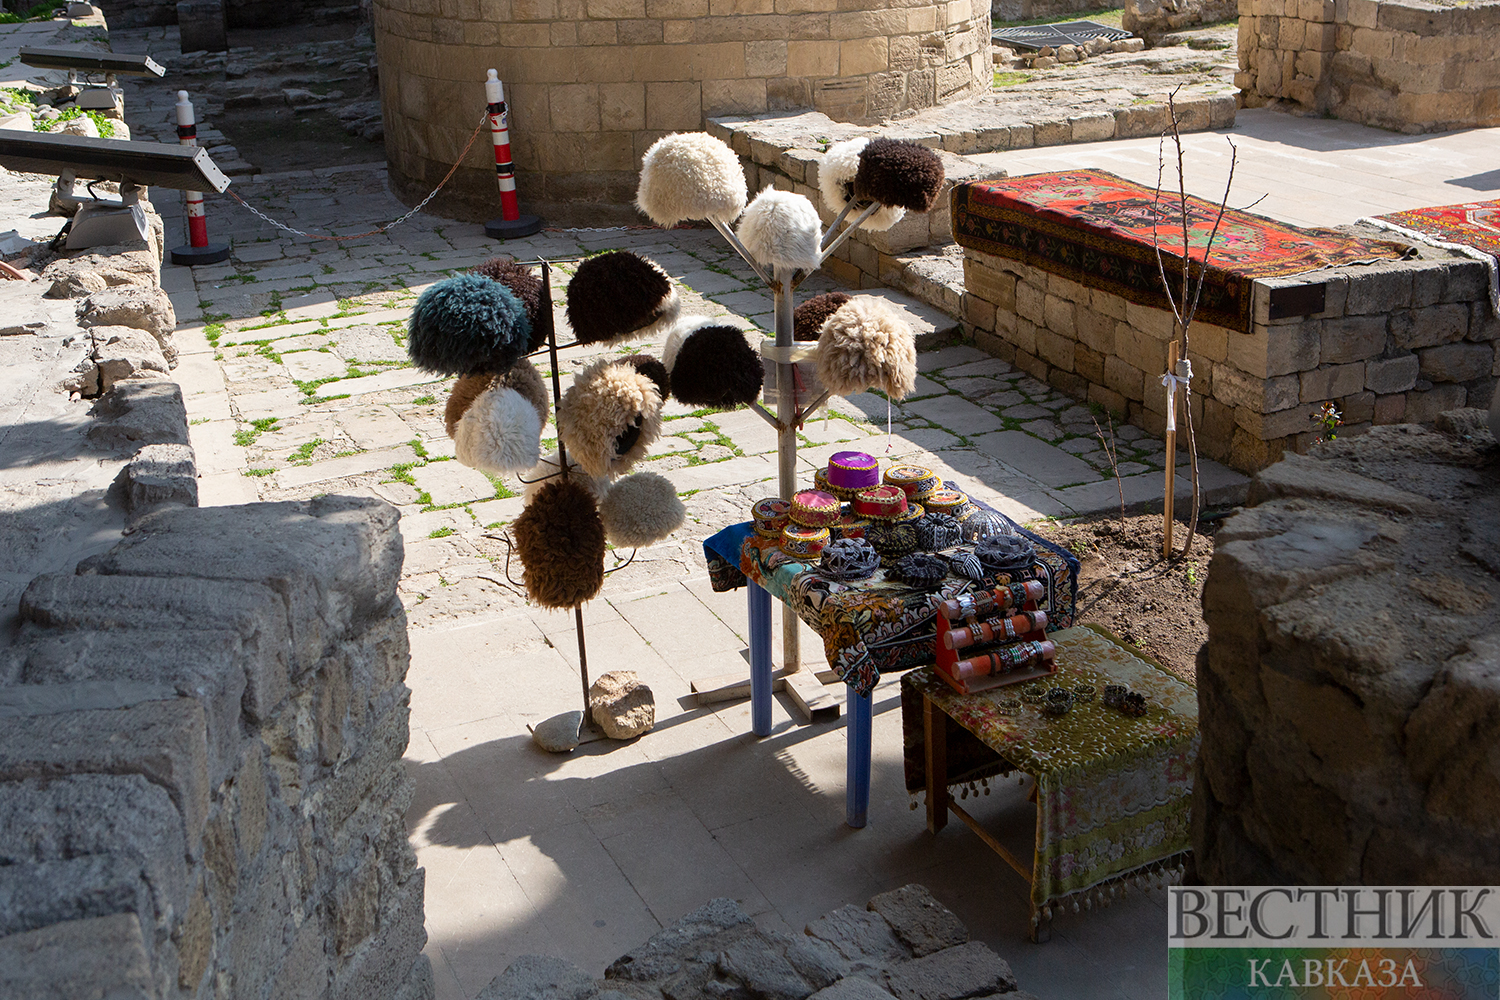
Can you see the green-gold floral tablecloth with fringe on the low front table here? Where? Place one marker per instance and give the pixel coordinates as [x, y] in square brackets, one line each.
[1112, 792]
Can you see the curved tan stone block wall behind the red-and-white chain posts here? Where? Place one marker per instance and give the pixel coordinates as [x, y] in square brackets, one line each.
[593, 83]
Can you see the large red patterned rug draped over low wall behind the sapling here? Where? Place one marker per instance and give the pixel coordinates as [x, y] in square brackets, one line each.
[1097, 229]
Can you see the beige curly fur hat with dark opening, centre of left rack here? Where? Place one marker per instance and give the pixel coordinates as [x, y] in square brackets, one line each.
[610, 418]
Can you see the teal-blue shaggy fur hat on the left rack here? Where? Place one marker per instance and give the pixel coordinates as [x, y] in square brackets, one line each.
[466, 326]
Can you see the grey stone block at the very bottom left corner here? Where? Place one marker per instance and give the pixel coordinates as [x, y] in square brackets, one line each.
[98, 957]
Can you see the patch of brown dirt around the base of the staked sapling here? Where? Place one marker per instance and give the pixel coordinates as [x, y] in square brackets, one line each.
[1129, 588]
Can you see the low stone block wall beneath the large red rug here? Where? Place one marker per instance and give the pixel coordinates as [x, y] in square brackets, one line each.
[1397, 341]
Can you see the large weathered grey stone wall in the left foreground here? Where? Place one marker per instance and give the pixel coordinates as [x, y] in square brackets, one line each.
[200, 764]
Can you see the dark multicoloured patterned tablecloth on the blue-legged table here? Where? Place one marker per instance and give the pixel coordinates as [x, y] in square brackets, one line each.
[872, 626]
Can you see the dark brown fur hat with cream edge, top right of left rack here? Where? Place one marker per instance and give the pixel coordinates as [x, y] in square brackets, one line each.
[620, 296]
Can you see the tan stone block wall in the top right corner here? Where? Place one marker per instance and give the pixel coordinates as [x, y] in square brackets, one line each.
[1393, 64]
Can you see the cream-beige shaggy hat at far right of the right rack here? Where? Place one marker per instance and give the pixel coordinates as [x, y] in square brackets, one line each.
[868, 346]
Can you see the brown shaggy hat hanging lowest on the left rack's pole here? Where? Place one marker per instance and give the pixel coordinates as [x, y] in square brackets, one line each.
[560, 540]
